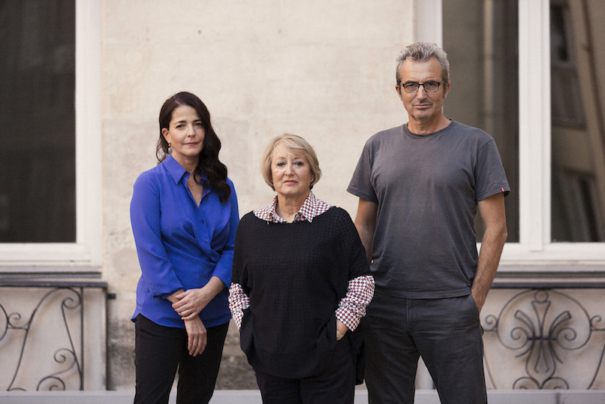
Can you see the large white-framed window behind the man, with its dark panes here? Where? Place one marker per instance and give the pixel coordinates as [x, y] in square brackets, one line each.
[531, 74]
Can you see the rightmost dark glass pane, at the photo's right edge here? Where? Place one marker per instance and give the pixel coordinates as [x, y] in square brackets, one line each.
[578, 133]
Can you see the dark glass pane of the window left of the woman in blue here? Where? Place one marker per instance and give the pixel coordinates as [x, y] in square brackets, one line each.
[37, 117]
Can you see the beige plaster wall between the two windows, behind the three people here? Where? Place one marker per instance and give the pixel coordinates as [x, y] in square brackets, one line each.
[320, 69]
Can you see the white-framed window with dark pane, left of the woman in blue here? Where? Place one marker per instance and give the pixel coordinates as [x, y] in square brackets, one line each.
[50, 209]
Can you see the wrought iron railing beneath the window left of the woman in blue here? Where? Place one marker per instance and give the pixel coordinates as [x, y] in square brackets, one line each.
[47, 337]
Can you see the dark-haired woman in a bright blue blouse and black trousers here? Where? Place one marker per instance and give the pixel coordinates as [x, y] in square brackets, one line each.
[184, 216]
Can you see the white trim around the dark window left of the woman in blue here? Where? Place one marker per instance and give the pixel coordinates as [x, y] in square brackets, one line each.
[85, 255]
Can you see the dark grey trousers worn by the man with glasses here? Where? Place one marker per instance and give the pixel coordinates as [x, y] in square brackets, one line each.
[445, 332]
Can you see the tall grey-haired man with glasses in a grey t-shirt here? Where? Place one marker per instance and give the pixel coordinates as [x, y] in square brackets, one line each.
[420, 186]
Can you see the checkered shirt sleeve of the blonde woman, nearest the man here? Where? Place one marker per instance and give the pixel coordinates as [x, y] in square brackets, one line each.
[353, 306]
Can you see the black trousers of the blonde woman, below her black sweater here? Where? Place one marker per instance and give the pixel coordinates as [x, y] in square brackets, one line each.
[333, 385]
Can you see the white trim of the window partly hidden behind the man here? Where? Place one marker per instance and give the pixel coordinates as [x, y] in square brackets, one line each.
[534, 252]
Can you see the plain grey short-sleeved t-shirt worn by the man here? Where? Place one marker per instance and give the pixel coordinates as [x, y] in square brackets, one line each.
[427, 188]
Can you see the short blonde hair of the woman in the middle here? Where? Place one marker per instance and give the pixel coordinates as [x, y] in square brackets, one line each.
[294, 144]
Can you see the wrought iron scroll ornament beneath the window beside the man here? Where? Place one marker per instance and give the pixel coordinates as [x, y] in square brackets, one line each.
[547, 331]
